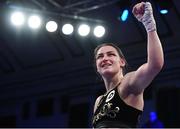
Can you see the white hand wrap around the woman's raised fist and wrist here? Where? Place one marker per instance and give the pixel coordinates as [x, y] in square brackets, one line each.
[147, 18]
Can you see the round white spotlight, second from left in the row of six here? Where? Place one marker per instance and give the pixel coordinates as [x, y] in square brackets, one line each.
[34, 22]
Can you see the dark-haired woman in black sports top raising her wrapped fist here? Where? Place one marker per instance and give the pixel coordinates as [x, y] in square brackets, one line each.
[122, 104]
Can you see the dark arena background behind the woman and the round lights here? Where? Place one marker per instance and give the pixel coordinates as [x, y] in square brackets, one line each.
[48, 79]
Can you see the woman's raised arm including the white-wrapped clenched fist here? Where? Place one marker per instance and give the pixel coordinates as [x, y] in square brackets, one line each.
[143, 76]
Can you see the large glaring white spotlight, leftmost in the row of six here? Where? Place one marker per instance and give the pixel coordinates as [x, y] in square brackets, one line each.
[17, 18]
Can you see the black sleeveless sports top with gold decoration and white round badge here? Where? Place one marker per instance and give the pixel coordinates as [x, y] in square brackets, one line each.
[113, 112]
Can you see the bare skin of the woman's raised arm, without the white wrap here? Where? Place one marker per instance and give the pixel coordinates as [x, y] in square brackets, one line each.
[143, 76]
